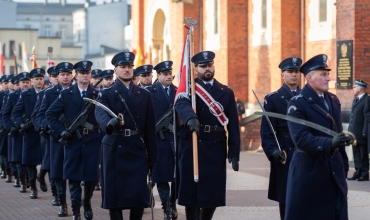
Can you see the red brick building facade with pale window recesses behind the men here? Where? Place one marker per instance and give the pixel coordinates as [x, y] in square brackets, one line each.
[251, 37]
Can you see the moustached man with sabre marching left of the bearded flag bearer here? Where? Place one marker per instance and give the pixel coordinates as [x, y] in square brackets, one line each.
[128, 150]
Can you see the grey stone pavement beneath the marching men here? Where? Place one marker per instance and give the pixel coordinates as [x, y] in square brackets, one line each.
[246, 198]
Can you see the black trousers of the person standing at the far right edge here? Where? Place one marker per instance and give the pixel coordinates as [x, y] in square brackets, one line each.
[361, 159]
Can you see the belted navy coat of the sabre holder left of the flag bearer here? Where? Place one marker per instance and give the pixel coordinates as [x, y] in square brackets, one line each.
[124, 159]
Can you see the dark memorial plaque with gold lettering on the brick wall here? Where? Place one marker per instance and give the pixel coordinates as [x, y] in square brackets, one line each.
[345, 64]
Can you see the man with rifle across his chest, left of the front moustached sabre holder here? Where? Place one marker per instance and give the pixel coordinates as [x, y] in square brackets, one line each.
[81, 156]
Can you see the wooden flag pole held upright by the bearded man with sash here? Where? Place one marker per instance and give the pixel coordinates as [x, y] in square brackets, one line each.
[191, 23]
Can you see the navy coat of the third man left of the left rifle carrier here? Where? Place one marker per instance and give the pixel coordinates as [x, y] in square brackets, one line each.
[31, 150]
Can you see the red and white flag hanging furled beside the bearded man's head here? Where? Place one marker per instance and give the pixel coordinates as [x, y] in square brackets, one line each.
[184, 71]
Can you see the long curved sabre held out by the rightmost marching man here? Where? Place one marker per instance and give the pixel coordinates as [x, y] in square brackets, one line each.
[323, 129]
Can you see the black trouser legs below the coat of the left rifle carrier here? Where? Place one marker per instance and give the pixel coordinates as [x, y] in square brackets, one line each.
[75, 190]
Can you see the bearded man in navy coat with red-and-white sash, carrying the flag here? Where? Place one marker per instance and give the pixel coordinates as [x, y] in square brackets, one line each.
[209, 192]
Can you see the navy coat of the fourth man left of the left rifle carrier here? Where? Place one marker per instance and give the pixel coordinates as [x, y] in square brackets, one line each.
[14, 144]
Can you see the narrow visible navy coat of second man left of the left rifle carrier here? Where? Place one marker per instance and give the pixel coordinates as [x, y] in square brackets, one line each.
[44, 142]
